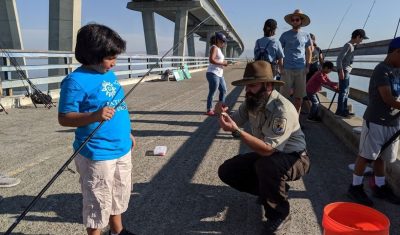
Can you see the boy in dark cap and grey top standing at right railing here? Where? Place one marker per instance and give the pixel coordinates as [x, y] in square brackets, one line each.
[343, 65]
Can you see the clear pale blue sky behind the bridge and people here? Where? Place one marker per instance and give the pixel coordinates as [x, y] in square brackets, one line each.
[246, 16]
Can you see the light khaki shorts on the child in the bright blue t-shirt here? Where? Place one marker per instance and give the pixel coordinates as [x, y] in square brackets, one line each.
[106, 188]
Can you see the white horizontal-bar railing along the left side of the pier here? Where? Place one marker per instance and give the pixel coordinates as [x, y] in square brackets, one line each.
[37, 67]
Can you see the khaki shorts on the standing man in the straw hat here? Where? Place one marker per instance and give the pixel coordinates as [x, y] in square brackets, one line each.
[295, 80]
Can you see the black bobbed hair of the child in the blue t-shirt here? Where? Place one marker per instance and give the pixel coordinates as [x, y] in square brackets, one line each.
[95, 42]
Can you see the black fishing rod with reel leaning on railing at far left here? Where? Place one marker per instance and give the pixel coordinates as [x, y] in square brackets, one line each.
[37, 96]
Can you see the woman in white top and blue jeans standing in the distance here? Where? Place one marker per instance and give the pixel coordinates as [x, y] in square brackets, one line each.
[215, 71]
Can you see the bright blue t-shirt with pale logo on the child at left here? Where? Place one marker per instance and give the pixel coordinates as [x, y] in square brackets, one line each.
[88, 91]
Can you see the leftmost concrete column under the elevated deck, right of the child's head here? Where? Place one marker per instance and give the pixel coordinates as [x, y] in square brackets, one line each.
[150, 32]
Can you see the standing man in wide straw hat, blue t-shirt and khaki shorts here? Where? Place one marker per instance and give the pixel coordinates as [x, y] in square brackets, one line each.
[297, 47]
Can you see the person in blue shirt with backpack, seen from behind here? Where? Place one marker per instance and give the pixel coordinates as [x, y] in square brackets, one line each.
[268, 48]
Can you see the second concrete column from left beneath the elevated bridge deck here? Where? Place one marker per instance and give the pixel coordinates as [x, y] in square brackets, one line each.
[180, 31]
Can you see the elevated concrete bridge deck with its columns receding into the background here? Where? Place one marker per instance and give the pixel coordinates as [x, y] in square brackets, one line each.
[187, 14]
